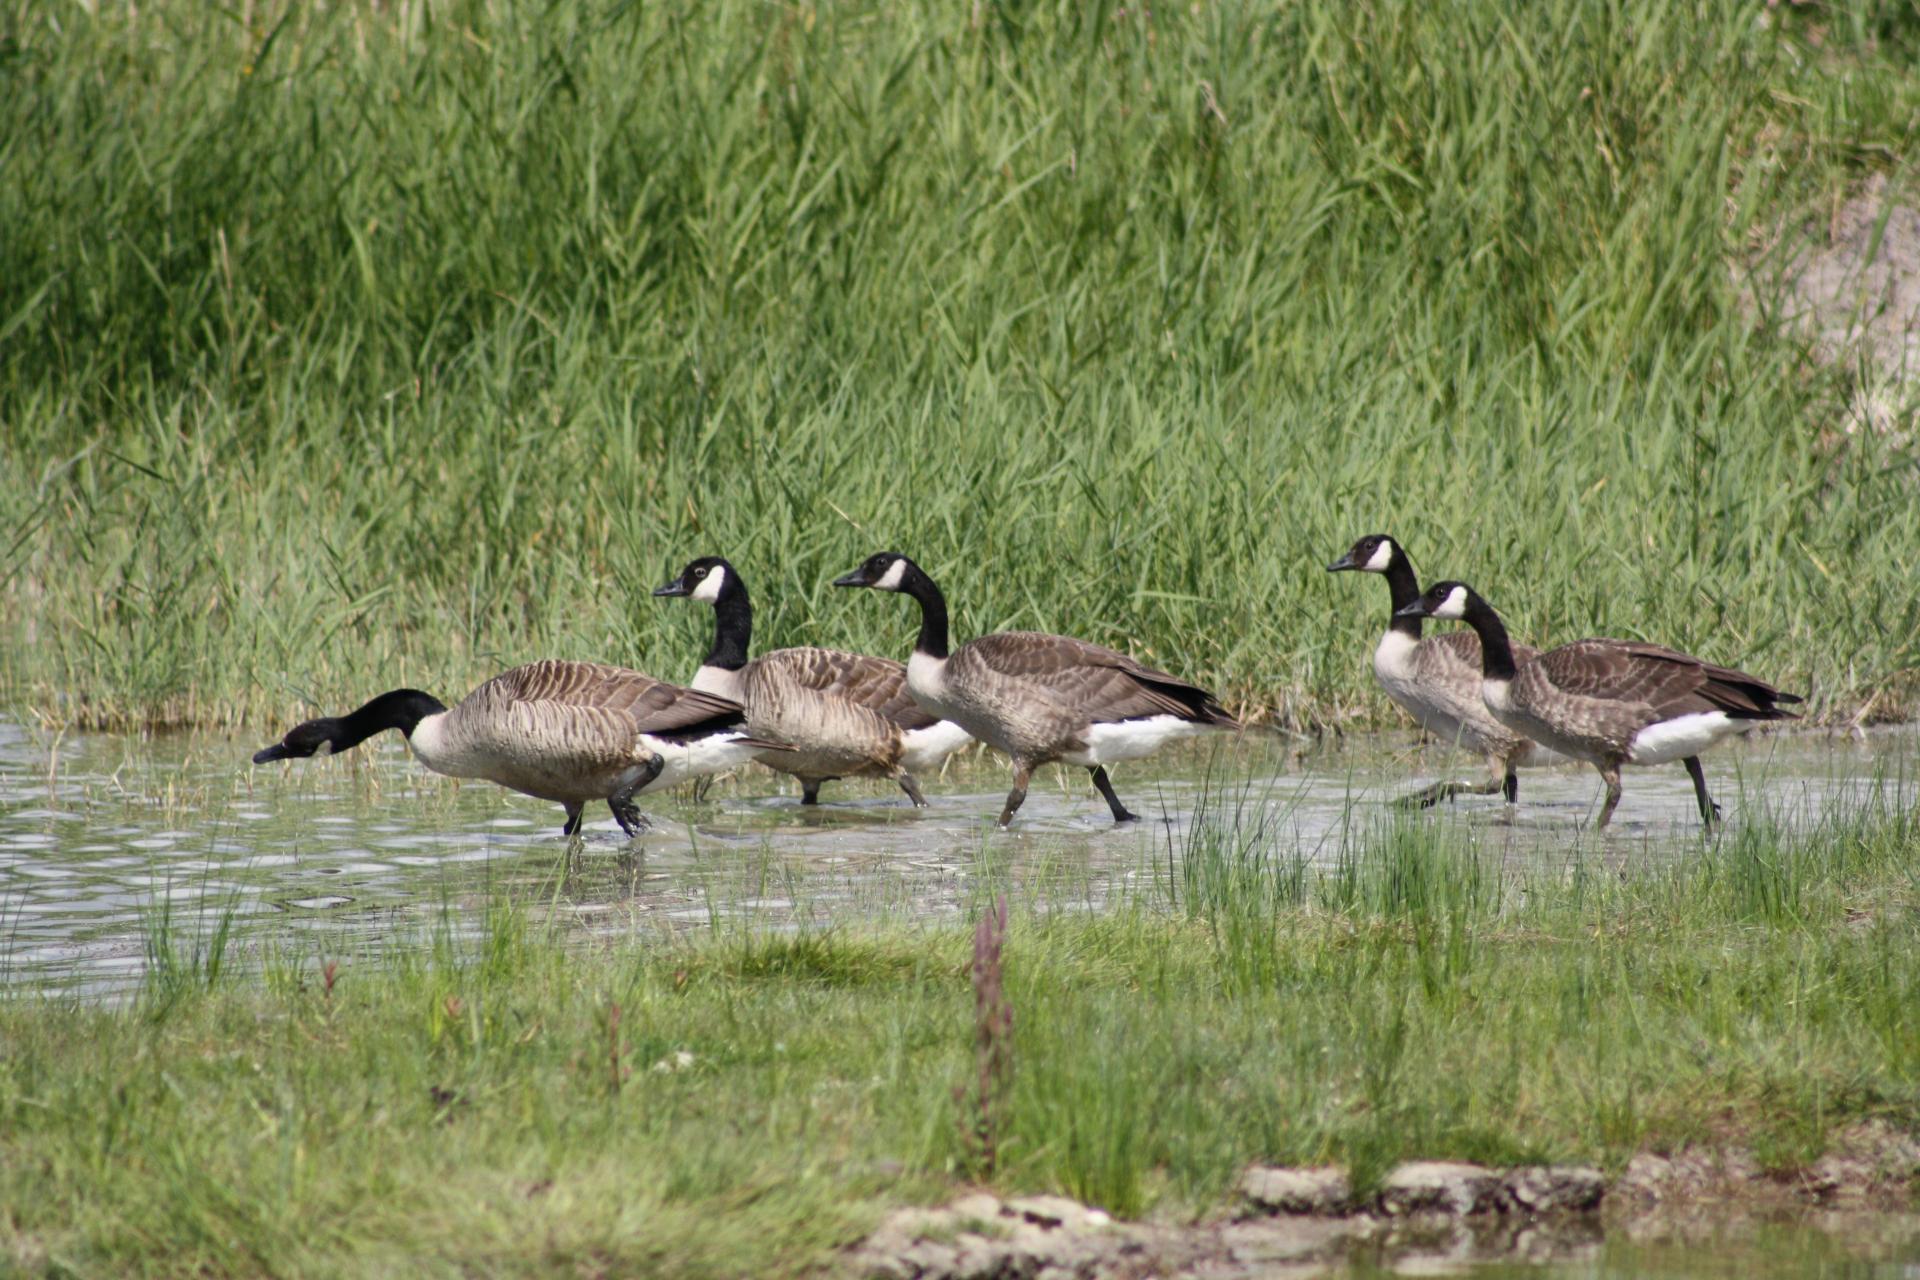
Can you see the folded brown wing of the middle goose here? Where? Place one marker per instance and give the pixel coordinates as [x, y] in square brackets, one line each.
[1093, 680]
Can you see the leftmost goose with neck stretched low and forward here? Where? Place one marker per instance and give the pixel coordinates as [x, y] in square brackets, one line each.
[569, 732]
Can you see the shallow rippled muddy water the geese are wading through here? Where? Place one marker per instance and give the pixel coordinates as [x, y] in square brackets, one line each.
[101, 838]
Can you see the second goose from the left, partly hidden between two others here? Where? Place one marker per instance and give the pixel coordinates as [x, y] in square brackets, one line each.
[844, 713]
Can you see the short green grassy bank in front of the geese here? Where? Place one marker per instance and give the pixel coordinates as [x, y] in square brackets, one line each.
[517, 1102]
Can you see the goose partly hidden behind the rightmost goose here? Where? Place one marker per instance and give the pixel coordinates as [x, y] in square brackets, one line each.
[1437, 680]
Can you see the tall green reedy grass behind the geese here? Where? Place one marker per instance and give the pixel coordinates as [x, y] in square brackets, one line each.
[350, 346]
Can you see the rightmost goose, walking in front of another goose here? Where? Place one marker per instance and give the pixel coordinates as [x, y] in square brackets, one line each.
[1610, 701]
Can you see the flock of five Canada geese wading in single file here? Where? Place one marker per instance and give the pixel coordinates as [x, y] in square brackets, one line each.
[585, 732]
